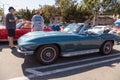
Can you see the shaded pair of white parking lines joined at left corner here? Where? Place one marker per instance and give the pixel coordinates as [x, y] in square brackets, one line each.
[35, 72]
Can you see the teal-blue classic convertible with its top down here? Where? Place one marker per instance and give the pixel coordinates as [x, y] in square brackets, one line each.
[75, 39]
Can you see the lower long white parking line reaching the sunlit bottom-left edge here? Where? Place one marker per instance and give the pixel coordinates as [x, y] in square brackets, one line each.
[64, 69]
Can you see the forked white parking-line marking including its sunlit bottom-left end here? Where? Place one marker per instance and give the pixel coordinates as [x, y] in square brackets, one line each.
[36, 73]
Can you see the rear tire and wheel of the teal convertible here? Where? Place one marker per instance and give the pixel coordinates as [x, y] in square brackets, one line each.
[106, 48]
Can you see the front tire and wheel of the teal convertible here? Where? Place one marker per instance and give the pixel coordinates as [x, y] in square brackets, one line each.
[47, 54]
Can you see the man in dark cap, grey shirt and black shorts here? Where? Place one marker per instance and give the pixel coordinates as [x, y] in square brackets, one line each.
[10, 26]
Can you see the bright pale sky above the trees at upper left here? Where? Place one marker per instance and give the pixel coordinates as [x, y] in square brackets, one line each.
[22, 4]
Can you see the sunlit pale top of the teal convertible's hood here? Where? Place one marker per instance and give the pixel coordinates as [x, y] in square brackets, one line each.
[45, 35]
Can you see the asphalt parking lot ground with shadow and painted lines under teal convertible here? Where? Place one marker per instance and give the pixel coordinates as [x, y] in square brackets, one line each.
[15, 66]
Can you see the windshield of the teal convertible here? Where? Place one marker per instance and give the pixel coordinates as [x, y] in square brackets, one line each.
[72, 28]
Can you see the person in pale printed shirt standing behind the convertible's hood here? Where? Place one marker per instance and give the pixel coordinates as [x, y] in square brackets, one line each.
[37, 21]
